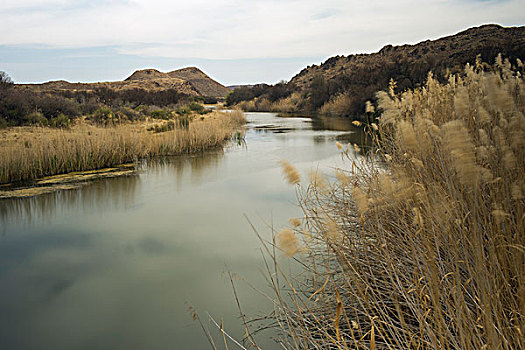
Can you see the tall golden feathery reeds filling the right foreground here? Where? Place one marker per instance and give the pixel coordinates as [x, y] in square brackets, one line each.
[425, 250]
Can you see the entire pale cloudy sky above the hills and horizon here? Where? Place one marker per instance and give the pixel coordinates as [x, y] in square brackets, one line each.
[233, 41]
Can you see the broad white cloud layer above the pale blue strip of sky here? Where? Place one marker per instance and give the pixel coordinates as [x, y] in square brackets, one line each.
[242, 28]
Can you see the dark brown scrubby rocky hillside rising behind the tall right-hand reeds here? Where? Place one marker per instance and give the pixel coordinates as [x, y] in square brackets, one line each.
[360, 76]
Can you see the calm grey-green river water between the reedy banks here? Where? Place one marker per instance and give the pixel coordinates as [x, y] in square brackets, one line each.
[115, 264]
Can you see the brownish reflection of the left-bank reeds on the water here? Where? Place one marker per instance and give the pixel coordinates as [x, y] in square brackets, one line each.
[108, 194]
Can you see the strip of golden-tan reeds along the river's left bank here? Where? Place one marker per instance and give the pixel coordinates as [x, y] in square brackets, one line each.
[32, 152]
